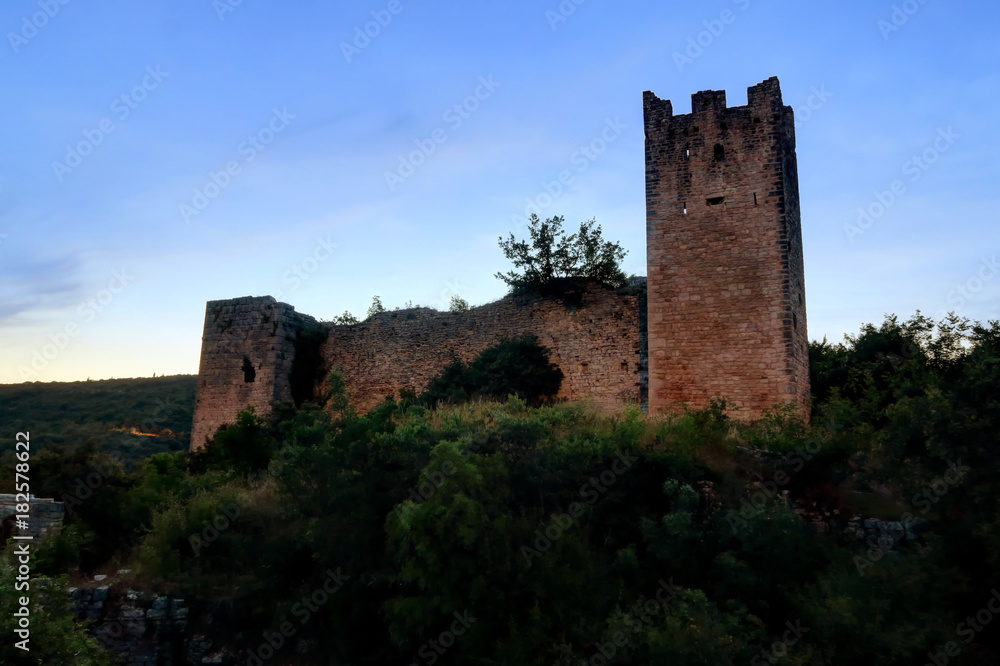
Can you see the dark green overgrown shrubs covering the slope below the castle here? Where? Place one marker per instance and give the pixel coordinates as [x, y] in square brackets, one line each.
[561, 534]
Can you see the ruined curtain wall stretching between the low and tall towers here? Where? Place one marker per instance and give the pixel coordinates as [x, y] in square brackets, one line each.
[593, 334]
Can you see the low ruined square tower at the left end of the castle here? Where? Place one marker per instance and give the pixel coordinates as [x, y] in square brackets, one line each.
[247, 352]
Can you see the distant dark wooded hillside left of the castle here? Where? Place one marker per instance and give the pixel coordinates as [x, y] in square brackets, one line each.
[110, 411]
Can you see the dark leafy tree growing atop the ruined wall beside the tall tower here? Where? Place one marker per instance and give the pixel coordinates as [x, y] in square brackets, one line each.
[550, 254]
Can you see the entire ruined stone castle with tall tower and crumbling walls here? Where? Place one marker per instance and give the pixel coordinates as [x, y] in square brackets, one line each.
[725, 297]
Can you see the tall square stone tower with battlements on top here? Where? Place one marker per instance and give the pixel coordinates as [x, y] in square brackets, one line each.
[726, 308]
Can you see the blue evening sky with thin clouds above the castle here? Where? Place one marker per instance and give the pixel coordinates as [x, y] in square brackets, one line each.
[159, 155]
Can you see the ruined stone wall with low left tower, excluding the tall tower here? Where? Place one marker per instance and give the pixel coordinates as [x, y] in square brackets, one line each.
[592, 332]
